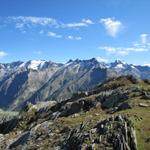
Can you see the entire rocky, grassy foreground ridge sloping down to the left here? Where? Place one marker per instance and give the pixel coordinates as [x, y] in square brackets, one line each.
[83, 121]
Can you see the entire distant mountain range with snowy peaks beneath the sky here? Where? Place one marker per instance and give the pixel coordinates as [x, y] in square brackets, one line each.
[35, 81]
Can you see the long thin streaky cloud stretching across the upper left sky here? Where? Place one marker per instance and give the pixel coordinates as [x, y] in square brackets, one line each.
[22, 22]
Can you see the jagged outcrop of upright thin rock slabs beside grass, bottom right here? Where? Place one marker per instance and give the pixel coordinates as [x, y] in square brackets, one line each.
[118, 132]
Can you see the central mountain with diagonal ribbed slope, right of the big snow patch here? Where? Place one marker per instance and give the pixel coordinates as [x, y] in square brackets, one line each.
[72, 77]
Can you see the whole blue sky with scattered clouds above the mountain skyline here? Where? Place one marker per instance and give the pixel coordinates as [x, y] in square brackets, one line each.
[60, 30]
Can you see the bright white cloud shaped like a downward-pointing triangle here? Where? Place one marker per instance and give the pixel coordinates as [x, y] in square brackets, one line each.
[112, 26]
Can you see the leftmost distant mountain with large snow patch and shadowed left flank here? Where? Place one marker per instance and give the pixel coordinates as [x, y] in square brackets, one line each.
[19, 81]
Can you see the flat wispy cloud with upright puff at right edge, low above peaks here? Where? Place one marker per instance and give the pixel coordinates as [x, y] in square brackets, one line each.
[140, 46]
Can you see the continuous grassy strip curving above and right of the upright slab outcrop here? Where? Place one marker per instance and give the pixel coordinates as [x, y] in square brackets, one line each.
[139, 116]
